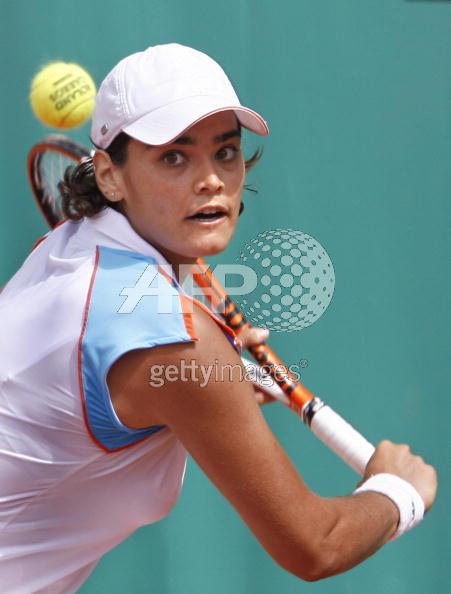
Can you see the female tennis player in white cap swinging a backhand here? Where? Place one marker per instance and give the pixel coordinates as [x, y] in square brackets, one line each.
[91, 445]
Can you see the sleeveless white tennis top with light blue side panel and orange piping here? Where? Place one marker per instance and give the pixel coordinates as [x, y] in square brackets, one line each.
[74, 481]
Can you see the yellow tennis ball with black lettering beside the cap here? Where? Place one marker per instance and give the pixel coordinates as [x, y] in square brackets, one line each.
[62, 95]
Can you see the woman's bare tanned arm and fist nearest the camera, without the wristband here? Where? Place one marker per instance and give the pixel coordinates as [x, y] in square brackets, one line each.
[222, 427]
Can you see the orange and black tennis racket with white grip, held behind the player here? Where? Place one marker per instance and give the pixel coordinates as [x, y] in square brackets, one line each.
[46, 165]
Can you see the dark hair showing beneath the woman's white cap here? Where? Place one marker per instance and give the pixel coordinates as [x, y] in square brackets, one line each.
[80, 194]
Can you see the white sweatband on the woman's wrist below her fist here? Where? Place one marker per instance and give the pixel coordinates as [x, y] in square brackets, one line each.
[402, 493]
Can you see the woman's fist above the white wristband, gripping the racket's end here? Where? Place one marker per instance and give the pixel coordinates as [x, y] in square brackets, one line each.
[399, 460]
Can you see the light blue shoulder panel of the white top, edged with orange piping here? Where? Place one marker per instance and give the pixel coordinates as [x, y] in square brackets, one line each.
[132, 306]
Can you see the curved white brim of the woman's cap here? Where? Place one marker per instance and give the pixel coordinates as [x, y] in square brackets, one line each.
[164, 125]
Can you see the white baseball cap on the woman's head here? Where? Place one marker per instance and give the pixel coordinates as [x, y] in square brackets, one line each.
[157, 94]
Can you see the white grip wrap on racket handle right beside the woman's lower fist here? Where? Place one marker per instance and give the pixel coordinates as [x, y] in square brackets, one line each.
[341, 438]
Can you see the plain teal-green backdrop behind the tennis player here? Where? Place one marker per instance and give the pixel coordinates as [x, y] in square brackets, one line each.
[358, 97]
